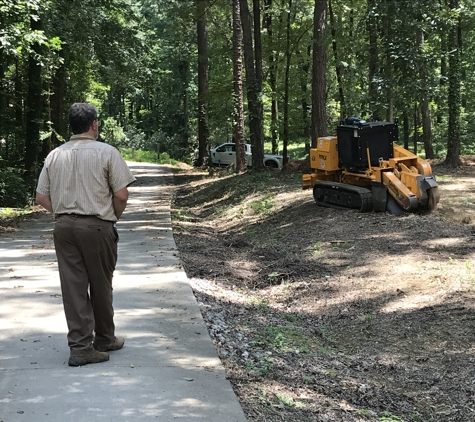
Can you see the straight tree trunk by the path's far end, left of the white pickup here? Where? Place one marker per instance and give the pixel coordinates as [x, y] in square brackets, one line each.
[203, 72]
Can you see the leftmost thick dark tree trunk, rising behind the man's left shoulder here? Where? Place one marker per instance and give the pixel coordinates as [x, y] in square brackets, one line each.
[33, 106]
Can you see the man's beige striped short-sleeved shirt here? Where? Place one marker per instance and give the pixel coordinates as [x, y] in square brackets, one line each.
[81, 176]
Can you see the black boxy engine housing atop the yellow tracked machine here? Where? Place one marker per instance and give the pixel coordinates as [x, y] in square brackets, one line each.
[355, 136]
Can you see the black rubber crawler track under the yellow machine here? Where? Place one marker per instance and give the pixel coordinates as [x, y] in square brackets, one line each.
[342, 195]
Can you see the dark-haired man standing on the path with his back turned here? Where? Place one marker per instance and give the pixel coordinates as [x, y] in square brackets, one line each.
[84, 183]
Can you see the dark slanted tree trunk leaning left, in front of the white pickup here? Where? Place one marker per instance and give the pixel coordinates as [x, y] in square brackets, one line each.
[253, 93]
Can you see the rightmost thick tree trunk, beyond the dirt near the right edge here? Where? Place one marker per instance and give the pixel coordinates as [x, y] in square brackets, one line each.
[453, 145]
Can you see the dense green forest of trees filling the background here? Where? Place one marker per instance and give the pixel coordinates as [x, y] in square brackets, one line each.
[165, 74]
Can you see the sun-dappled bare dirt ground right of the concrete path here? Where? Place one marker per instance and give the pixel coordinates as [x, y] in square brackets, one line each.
[331, 315]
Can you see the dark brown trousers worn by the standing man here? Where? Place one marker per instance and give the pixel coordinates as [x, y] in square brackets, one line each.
[86, 248]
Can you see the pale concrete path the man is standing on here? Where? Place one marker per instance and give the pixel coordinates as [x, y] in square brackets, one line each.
[168, 369]
